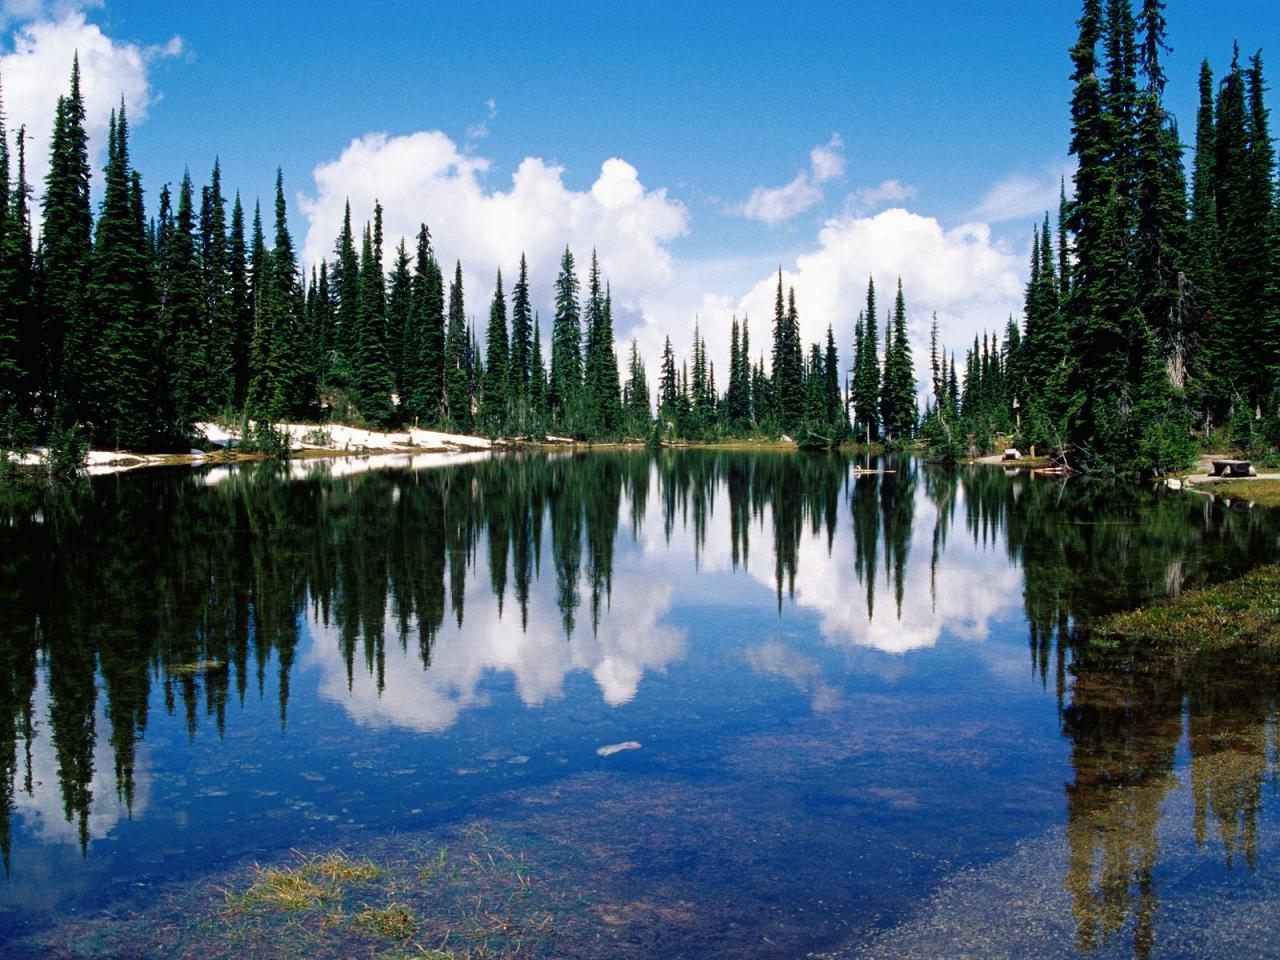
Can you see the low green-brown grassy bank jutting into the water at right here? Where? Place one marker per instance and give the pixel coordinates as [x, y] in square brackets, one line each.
[1241, 614]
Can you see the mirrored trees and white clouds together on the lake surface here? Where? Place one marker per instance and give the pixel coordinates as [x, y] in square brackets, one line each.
[408, 588]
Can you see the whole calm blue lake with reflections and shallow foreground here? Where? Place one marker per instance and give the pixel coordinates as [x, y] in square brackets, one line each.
[701, 705]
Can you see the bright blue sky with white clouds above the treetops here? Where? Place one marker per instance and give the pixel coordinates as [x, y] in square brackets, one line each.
[698, 148]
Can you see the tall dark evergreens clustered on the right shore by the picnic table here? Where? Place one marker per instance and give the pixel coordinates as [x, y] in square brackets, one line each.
[1153, 312]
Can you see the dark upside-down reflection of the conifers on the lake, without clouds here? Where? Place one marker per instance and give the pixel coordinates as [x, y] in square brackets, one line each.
[195, 586]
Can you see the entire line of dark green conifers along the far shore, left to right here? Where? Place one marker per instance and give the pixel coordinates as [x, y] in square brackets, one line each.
[1151, 319]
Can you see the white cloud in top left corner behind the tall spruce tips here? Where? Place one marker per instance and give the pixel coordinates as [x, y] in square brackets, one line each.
[38, 68]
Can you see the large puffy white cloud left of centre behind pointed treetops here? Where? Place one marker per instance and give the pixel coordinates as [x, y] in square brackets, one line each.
[426, 177]
